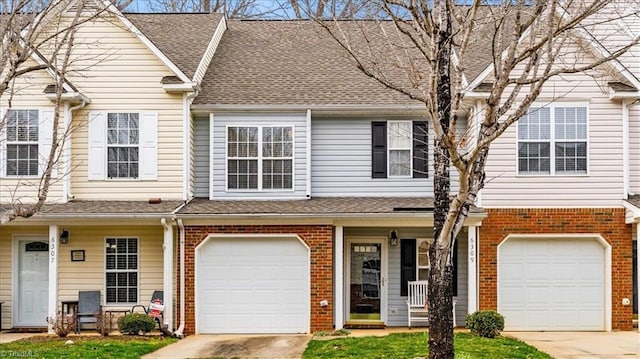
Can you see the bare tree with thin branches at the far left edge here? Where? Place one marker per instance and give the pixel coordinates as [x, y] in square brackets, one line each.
[38, 36]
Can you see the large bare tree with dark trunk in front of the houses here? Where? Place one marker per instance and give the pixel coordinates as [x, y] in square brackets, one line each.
[425, 49]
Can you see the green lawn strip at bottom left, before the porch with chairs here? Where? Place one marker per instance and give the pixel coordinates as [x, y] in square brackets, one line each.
[118, 346]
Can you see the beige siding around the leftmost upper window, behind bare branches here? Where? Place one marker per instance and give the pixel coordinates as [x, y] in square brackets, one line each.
[29, 95]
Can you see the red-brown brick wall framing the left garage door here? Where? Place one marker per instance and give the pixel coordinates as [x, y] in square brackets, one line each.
[319, 238]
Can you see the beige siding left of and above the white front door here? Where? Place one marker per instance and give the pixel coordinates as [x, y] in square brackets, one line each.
[7, 256]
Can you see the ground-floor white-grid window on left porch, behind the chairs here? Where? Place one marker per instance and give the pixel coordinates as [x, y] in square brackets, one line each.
[121, 267]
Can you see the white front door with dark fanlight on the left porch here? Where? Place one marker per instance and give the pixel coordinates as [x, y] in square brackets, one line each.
[33, 283]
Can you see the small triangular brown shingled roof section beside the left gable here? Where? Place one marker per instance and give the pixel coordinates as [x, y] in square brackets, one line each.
[183, 38]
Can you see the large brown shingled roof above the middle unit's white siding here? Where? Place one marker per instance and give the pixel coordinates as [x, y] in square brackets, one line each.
[287, 62]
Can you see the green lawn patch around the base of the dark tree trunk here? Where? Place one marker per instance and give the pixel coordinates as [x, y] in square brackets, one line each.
[412, 345]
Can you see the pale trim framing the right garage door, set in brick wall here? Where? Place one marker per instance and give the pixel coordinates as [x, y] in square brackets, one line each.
[607, 264]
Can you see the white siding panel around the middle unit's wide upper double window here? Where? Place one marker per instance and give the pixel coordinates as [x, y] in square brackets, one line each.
[219, 171]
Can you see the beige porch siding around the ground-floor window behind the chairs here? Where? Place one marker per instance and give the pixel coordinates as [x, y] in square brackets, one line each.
[90, 274]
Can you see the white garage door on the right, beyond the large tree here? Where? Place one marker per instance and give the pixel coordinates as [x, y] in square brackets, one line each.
[552, 284]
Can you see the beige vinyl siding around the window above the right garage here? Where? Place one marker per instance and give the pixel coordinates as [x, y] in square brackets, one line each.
[603, 184]
